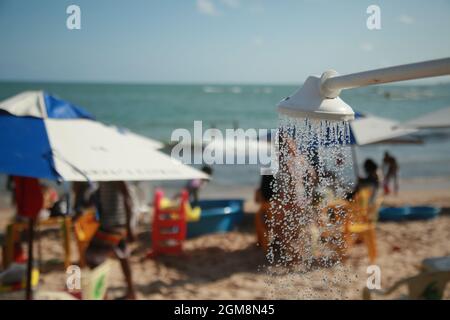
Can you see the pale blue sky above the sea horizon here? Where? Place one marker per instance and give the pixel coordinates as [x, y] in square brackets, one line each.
[218, 41]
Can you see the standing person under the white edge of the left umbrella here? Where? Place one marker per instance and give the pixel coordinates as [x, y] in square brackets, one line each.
[110, 240]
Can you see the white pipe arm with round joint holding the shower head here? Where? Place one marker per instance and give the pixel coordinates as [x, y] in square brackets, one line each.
[331, 83]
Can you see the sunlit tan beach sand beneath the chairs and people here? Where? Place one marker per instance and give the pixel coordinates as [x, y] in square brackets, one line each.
[231, 266]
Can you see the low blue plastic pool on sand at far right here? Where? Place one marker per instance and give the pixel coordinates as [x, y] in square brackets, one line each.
[408, 213]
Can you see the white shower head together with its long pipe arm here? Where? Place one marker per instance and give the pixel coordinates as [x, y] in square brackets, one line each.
[319, 97]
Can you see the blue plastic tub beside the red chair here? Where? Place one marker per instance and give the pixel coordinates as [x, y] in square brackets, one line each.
[216, 216]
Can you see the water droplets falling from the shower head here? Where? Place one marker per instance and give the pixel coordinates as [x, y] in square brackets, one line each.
[304, 240]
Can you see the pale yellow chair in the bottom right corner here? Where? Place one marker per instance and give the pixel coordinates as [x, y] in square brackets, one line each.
[424, 286]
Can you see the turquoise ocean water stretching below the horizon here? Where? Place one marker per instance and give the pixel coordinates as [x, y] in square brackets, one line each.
[155, 110]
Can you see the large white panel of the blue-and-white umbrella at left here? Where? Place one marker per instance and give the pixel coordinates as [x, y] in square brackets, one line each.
[88, 149]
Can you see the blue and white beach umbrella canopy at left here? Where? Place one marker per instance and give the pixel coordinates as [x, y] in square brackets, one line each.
[46, 137]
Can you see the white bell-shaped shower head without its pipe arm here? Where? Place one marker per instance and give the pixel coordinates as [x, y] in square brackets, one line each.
[310, 101]
